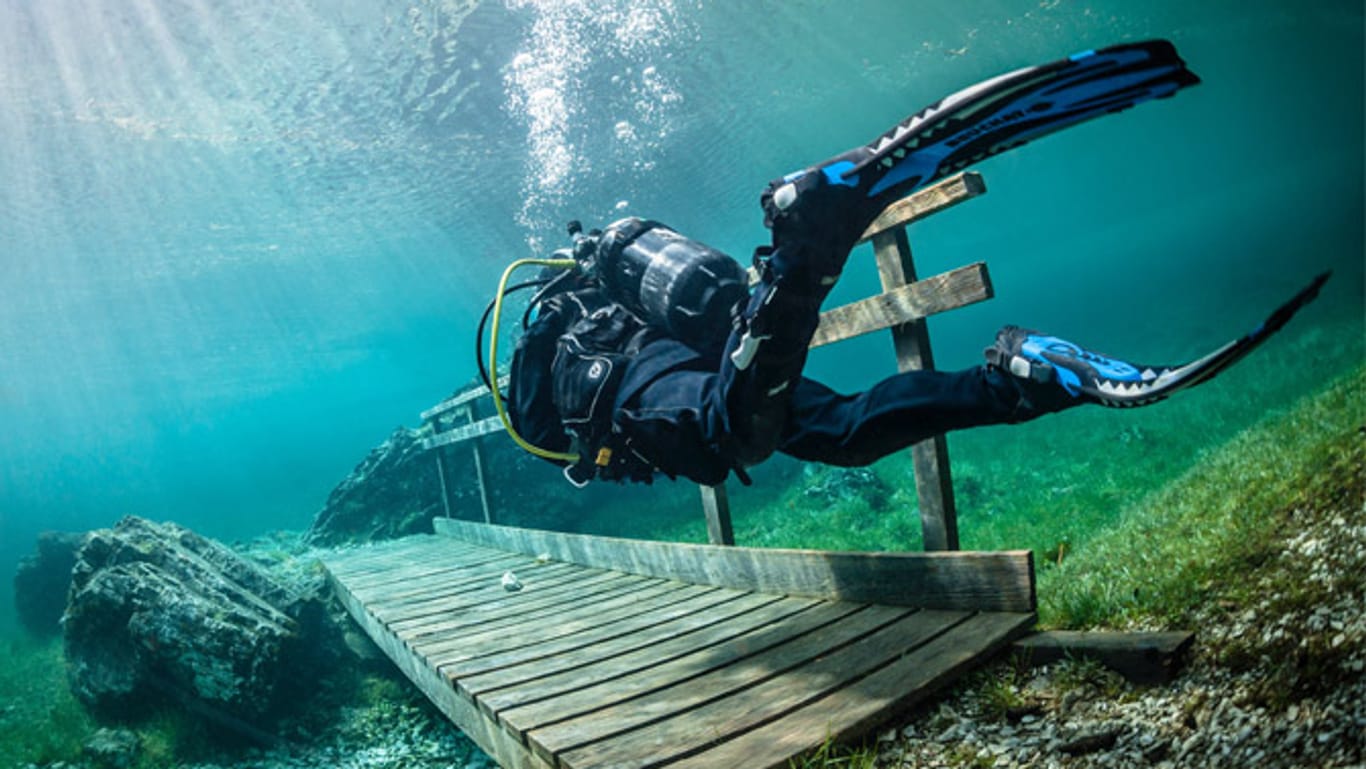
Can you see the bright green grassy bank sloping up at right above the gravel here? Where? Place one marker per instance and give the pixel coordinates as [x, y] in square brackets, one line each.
[1205, 532]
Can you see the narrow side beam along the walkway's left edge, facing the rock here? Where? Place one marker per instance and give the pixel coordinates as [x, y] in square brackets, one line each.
[497, 742]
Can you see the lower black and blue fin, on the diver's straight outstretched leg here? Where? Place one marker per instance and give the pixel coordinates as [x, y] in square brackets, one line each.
[1076, 374]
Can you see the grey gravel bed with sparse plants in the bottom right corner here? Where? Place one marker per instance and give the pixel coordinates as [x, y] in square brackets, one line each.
[1275, 682]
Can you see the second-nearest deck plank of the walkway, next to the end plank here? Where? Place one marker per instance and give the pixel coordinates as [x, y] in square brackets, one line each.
[685, 733]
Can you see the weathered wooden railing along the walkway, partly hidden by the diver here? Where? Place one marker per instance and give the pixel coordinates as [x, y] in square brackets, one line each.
[904, 305]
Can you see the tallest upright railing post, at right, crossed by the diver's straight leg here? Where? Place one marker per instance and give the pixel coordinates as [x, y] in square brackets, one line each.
[934, 484]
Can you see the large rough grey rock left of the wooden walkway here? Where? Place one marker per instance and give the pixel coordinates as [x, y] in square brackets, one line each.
[159, 614]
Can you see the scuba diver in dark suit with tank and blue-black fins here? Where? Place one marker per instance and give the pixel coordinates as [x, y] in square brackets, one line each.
[651, 354]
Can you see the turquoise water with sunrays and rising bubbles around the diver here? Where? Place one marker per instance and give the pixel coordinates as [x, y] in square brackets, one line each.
[241, 244]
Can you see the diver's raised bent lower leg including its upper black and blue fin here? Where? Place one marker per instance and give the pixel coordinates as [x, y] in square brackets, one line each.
[819, 214]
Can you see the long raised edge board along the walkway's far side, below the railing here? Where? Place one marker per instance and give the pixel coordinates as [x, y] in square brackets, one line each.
[996, 581]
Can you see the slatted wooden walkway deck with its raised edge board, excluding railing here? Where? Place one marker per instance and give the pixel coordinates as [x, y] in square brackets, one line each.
[619, 654]
